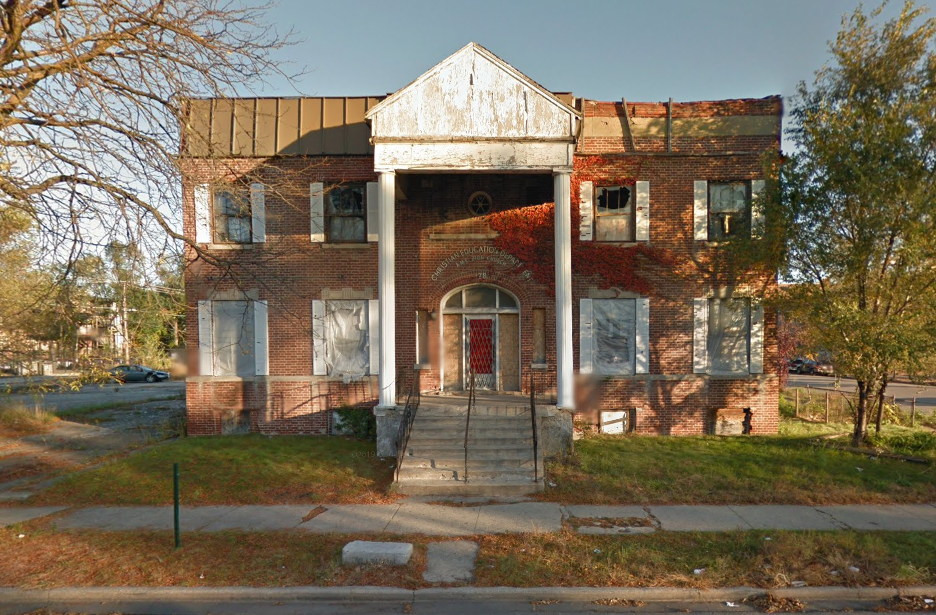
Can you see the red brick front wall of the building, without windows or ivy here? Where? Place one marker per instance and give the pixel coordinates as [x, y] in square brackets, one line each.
[289, 272]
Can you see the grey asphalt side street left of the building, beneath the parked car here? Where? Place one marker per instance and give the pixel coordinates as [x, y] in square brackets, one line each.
[95, 395]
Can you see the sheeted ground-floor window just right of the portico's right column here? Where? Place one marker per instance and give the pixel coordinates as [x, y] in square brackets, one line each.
[615, 323]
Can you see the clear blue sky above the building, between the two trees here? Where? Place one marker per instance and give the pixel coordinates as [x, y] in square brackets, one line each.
[641, 50]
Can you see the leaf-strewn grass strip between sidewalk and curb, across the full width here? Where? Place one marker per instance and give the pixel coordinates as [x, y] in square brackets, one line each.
[46, 558]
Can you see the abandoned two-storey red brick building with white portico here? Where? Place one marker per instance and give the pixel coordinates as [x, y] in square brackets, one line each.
[351, 246]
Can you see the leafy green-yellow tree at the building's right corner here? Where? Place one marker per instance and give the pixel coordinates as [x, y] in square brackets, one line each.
[852, 219]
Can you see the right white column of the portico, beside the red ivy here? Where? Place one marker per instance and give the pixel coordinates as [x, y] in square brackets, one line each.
[565, 397]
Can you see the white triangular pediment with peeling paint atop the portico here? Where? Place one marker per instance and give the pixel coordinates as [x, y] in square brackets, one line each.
[472, 94]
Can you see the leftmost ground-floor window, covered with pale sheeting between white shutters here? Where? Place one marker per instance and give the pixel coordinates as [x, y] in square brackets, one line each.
[233, 338]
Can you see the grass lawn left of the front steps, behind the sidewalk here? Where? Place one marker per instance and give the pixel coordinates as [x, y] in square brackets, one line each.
[248, 469]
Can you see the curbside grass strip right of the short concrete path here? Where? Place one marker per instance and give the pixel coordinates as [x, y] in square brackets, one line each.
[726, 559]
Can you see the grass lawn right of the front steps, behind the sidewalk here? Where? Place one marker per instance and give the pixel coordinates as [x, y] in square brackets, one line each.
[732, 470]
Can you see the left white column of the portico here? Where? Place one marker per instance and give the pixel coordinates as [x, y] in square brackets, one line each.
[387, 288]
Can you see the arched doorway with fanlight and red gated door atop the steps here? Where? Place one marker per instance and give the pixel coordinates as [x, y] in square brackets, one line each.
[481, 331]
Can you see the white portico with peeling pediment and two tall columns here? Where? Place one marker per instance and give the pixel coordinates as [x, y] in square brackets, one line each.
[472, 113]
